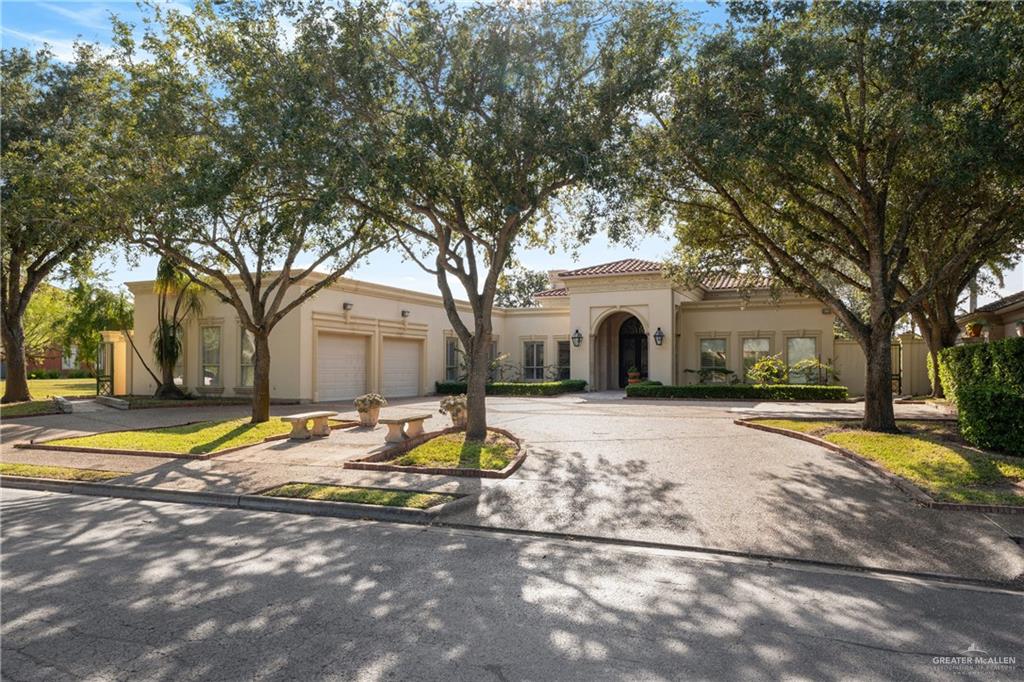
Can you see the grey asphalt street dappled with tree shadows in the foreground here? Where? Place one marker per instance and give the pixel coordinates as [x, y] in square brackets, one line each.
[106, 589]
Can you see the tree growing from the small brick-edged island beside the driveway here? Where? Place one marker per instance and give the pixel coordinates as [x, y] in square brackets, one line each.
[495, 113]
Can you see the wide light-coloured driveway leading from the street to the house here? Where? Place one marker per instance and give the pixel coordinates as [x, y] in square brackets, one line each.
[675, 473]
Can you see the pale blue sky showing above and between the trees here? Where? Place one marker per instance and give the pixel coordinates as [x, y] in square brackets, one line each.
[60, 24]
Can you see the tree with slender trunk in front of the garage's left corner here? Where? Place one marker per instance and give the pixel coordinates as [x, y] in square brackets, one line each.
[243, 162]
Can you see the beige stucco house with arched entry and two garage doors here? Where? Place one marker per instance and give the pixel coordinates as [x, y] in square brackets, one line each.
[593, 324]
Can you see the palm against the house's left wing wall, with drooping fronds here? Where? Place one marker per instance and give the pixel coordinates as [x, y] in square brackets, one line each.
[179, 297]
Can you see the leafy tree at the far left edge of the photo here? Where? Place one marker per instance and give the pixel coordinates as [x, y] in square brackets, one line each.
[60, 179]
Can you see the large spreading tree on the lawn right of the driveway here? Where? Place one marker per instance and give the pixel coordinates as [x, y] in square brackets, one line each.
[815, 142]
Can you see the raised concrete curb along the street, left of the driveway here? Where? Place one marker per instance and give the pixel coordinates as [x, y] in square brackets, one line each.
[234, 501]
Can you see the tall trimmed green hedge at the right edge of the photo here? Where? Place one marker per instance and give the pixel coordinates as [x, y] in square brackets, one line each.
[986, 381]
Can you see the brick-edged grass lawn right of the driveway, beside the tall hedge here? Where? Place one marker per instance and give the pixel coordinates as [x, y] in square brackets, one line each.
[929, 453]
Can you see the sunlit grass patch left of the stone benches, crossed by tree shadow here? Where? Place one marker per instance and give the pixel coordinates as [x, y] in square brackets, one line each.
[199, 439]
